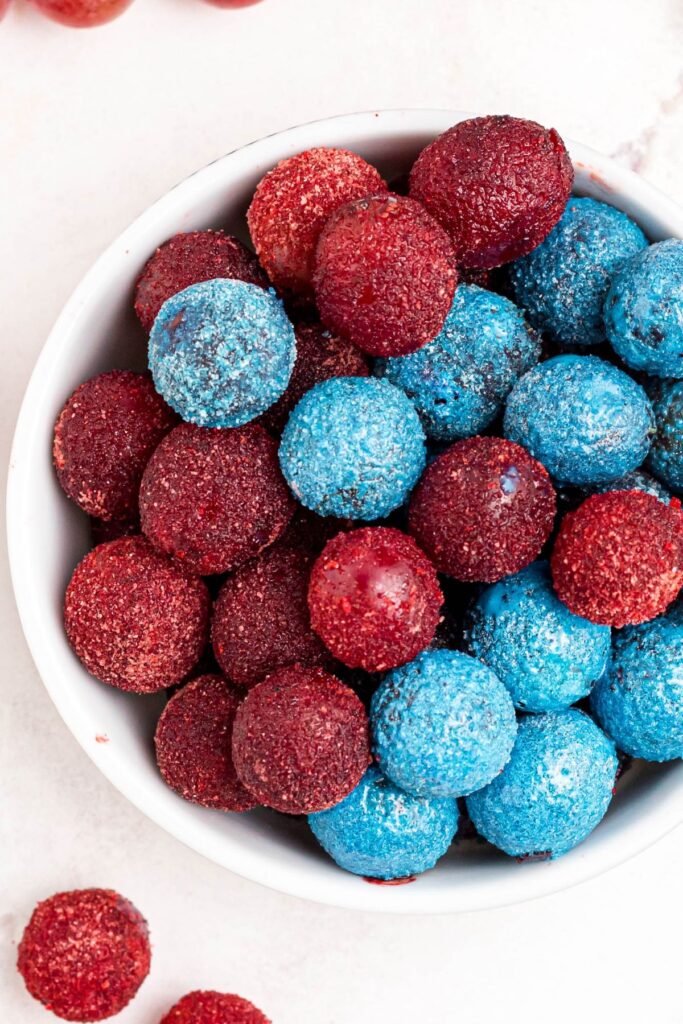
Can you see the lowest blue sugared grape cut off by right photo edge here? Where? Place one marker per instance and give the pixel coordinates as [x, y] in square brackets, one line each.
[639, 701]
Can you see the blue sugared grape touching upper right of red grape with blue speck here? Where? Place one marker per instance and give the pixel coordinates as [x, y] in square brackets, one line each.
[586, 420]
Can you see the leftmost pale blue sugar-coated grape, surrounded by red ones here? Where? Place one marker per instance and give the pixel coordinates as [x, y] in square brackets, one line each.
[222, 353]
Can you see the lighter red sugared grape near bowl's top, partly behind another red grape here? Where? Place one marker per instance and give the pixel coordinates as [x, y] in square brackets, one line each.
[292, 203]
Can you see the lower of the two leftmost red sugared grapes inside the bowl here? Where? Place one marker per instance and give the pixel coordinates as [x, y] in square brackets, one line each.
[136, 619]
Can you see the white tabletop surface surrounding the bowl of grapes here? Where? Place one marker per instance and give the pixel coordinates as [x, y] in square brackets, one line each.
[96, 125]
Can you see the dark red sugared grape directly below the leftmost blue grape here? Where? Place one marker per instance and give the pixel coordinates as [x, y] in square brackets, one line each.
[215, 498]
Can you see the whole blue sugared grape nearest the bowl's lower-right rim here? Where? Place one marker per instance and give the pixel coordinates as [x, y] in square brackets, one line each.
[553, 792]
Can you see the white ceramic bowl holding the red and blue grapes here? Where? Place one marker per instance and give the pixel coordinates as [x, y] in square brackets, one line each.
[48, 536]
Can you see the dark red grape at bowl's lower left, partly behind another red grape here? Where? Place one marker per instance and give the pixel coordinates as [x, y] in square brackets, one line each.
[193, 743]
